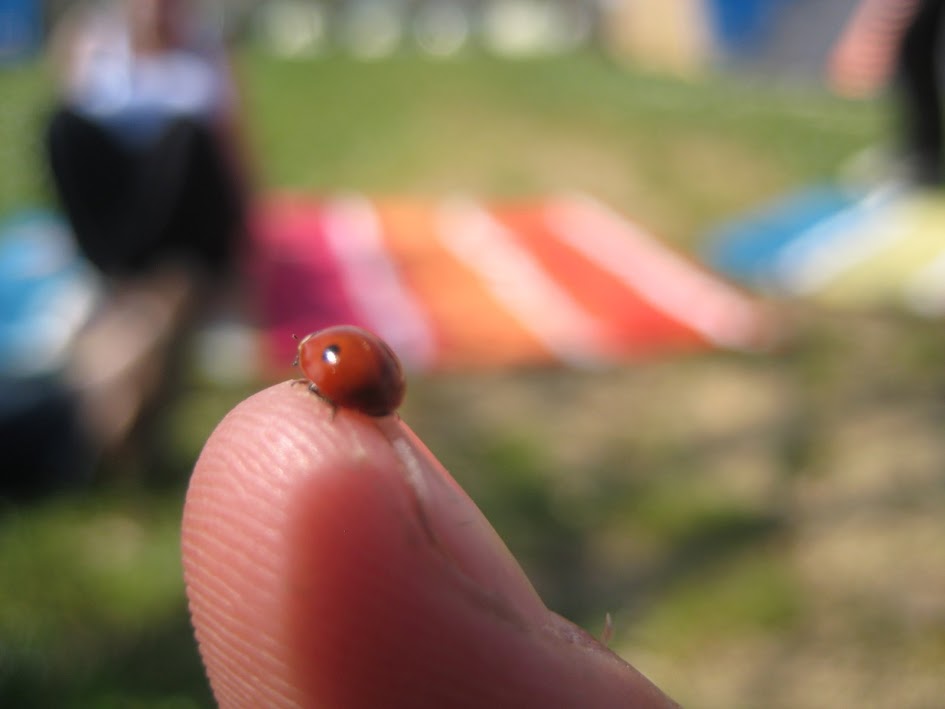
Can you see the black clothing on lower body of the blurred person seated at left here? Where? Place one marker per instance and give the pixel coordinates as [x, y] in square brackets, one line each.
[131, 209]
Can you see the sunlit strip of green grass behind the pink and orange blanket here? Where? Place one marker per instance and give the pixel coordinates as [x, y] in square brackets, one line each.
[681, 154]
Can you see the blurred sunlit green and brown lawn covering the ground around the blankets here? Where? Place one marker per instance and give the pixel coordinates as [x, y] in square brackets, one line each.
[714, 504]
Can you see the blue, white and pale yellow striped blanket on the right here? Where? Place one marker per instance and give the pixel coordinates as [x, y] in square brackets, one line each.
[839, 247]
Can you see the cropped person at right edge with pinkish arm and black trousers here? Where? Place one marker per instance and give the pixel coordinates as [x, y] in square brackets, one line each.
[899, 42]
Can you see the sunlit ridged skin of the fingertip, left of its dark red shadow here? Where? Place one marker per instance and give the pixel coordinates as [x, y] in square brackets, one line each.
[236, 534]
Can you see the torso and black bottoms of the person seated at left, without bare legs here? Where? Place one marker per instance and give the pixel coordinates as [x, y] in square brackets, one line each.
[142, 148]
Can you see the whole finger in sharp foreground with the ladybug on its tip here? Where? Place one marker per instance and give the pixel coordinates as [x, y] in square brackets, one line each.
[330, 561]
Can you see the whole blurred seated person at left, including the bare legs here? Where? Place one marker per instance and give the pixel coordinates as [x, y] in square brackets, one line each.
[146, 159]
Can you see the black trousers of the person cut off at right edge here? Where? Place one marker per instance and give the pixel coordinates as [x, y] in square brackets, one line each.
[918, 90]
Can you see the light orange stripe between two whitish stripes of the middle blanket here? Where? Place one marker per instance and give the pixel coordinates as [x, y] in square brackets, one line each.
[471, 329]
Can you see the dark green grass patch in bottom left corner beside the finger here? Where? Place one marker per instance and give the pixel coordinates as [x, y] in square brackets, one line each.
[91, 612]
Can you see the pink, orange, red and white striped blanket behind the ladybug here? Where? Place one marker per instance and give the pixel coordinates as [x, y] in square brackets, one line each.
[458, 284]
